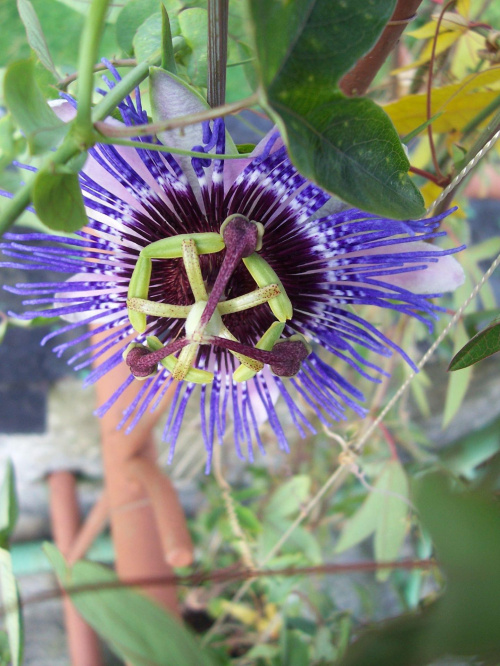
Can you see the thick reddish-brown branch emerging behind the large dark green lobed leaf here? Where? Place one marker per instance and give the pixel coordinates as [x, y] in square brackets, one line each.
[356, 82]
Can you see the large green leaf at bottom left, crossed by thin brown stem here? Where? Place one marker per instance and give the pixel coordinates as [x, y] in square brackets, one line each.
[137, 630]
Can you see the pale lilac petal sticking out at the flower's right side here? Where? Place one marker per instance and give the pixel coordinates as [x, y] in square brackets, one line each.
[440, 276]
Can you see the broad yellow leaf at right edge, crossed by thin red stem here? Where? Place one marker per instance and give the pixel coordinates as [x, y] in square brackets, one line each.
[459, 103]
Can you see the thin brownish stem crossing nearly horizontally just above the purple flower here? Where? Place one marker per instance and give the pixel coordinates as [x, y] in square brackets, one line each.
[181, 121]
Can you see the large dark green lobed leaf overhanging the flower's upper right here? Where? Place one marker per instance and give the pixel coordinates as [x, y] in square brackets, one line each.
[347, 146]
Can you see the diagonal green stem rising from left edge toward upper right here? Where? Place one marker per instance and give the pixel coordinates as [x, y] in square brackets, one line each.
[69, 148]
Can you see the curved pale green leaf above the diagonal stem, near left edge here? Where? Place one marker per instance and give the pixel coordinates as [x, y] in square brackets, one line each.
[42, 127]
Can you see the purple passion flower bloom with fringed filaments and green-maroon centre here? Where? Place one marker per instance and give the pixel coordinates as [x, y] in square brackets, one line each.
[238, 278]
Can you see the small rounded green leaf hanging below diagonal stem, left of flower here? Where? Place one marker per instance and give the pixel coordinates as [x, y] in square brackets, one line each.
[58, 201]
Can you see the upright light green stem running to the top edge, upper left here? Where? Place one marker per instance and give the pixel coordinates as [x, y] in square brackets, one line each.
[89, 51]
